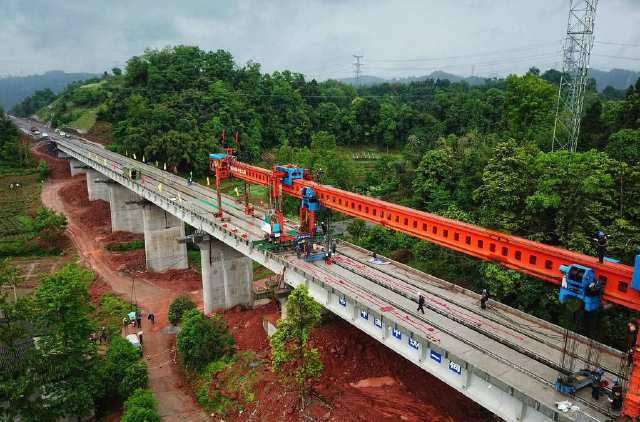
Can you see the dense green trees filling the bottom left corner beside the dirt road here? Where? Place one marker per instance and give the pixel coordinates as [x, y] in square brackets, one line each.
[50, 366]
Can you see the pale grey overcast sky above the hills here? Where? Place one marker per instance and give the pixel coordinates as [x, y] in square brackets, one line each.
[318, 38]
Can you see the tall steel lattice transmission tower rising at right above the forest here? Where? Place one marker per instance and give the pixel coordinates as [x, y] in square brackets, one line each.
[576, 52]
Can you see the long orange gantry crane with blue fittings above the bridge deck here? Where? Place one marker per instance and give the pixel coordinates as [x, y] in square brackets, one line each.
[581, 276]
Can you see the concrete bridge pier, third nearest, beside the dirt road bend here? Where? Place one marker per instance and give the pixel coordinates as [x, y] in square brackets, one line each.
[125, 217]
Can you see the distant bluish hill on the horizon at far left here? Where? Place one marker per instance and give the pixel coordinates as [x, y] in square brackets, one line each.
[14, 89]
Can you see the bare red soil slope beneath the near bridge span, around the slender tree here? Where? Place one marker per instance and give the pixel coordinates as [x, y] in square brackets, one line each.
[362, 379]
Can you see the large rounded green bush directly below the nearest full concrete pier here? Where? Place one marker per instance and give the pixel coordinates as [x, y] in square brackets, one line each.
[202, 340]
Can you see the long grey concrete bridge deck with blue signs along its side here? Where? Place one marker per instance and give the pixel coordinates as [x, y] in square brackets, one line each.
[502, 358]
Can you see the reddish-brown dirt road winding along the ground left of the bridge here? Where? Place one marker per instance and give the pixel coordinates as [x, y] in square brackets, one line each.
[174, 402]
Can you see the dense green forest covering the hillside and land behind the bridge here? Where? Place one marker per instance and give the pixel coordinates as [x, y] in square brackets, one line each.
[479, 154]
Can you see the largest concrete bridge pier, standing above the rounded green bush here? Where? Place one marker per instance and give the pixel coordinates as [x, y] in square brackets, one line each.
[226, 276]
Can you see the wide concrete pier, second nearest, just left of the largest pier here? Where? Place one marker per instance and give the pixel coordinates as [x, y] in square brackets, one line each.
[161, 233]
